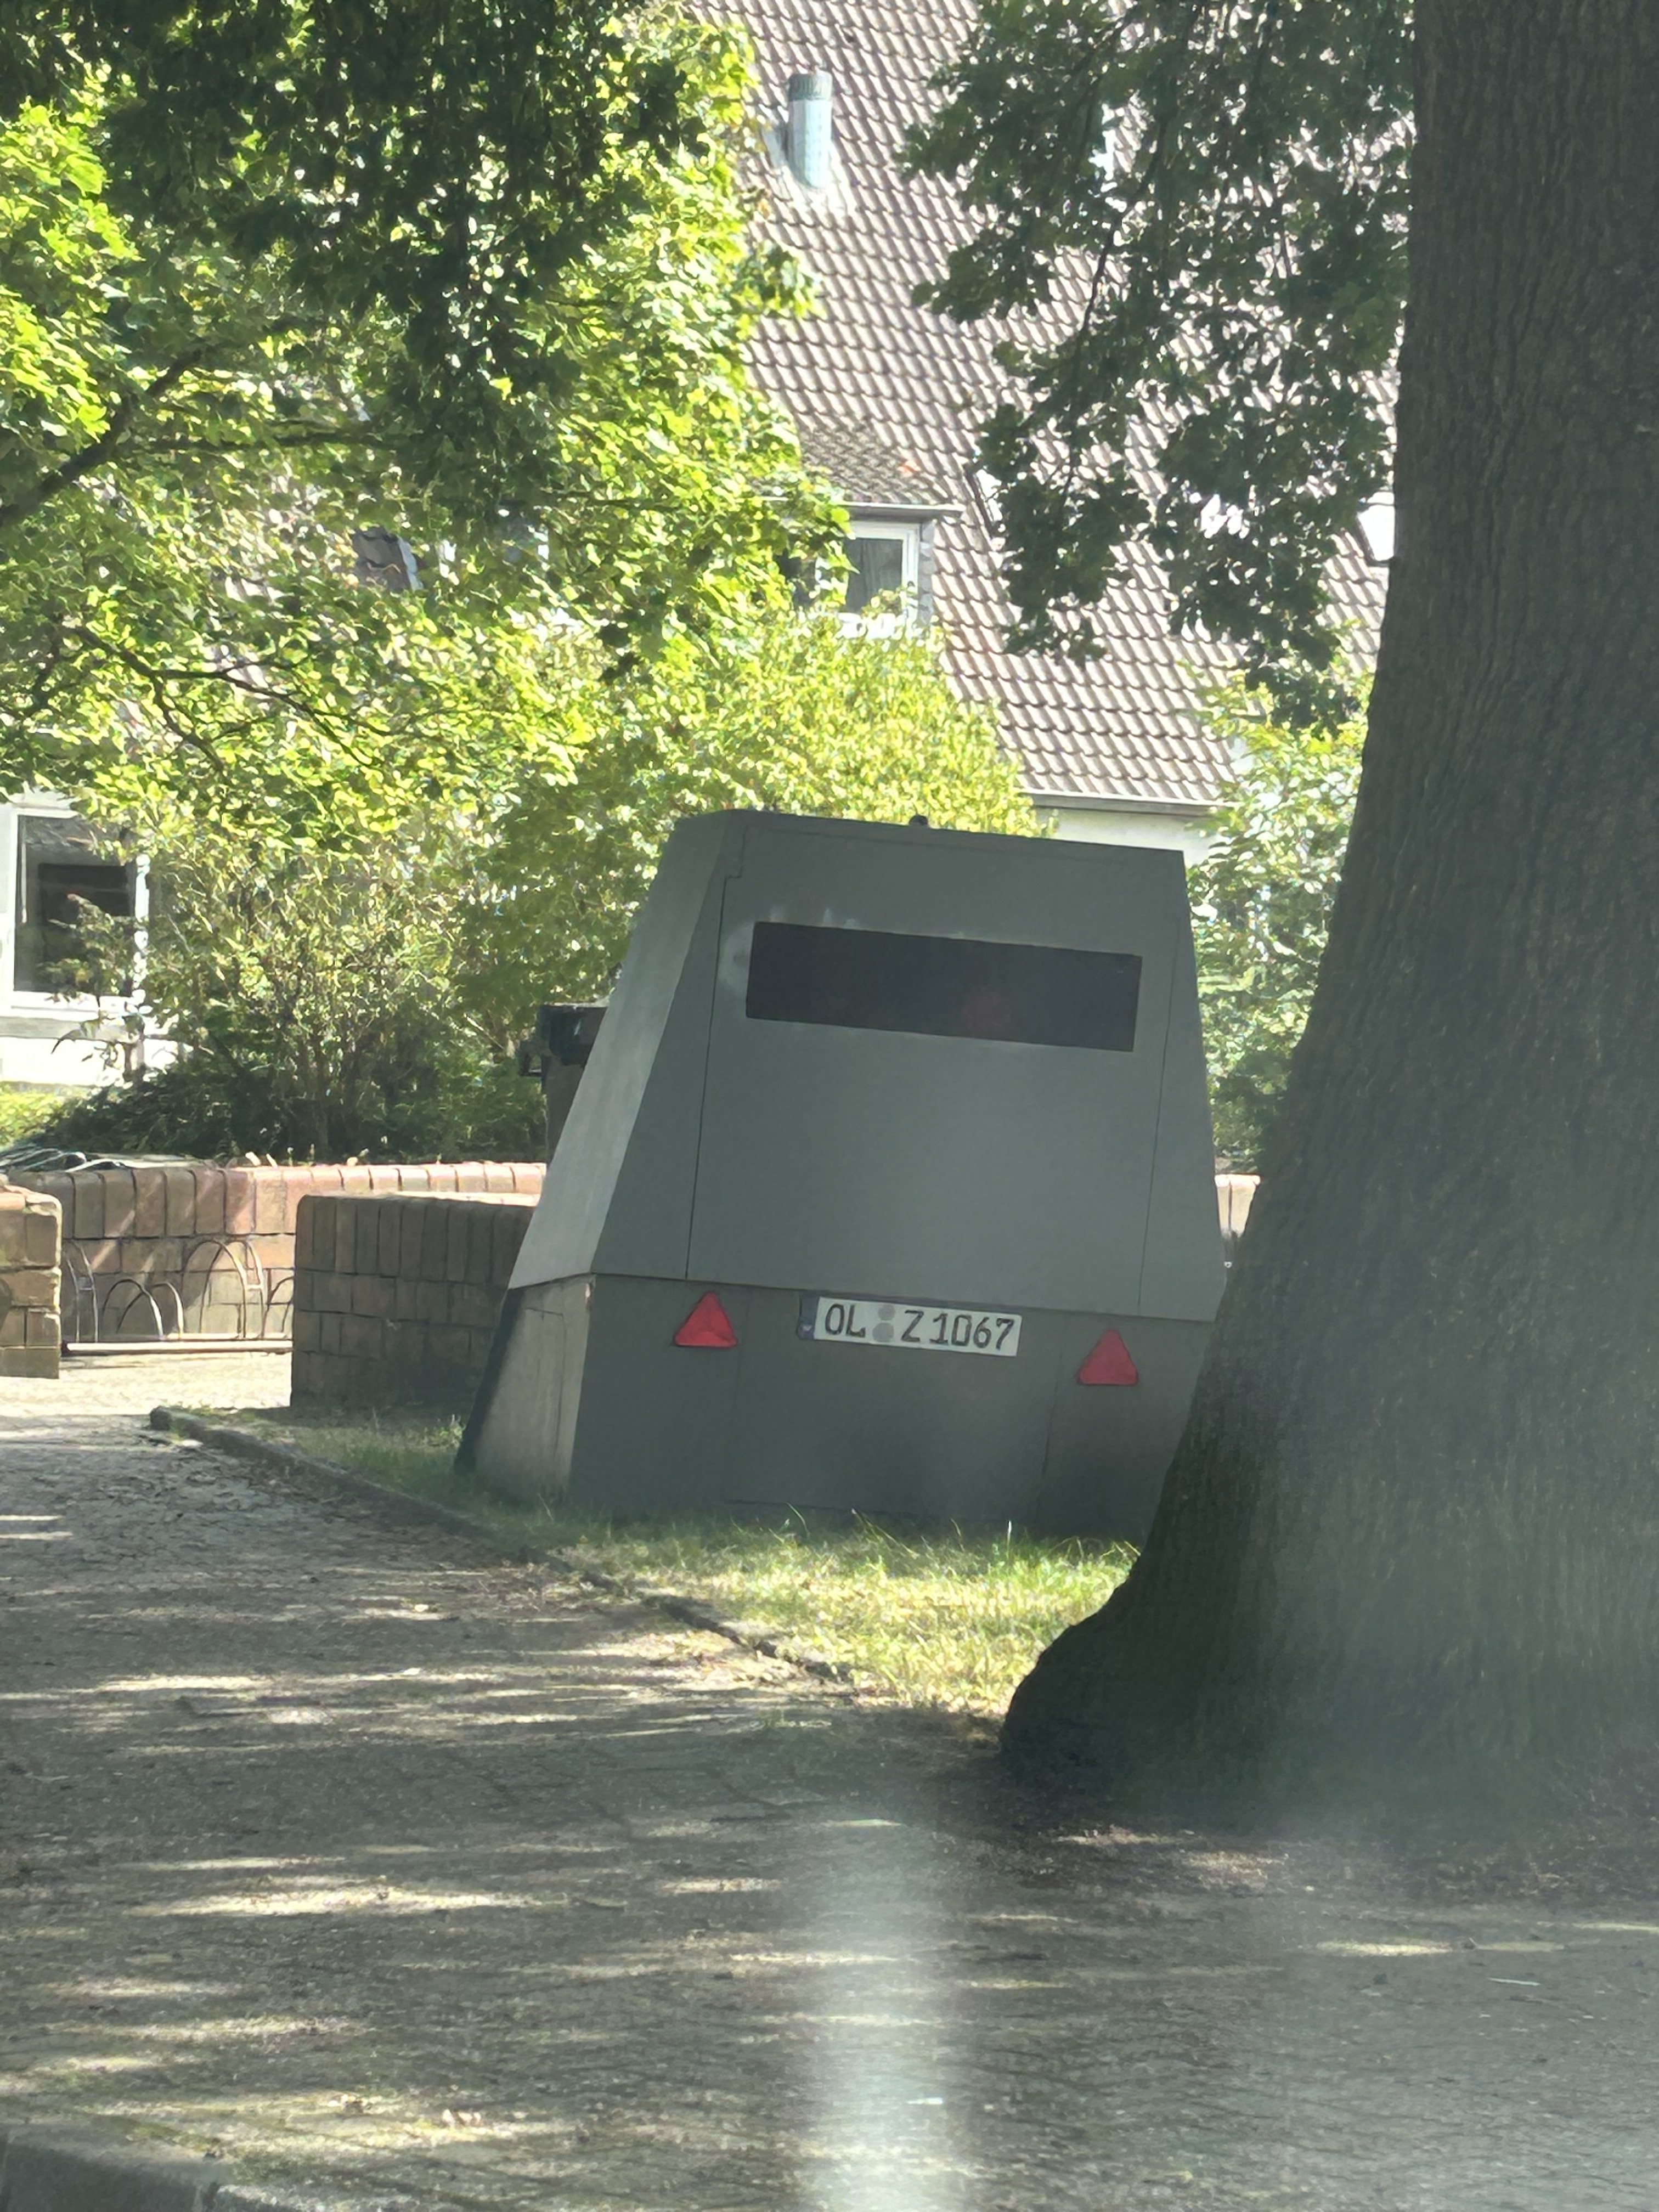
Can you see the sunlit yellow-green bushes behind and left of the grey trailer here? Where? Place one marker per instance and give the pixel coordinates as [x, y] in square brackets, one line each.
[359, 994]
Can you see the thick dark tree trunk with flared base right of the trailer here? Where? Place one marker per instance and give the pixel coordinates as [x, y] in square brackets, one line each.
[1415, 1523]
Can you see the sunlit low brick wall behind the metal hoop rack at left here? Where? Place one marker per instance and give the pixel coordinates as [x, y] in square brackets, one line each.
[156, 1224]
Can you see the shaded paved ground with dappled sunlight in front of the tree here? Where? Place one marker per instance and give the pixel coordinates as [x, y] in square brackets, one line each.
[386, 1870]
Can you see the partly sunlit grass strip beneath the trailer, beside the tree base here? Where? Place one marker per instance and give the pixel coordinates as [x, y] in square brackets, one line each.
[946, 1618]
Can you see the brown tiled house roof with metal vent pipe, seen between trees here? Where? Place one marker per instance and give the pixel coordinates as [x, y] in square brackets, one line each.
[888, 399]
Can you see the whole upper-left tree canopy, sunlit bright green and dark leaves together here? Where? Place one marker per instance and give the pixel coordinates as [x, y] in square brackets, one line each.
[233, 355]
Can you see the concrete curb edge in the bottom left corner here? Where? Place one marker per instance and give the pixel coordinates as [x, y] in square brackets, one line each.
[81, 2171]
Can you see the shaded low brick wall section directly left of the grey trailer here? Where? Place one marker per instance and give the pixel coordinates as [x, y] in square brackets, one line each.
[397, 1297]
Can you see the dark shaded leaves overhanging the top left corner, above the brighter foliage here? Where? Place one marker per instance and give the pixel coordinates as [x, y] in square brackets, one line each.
[446, 174]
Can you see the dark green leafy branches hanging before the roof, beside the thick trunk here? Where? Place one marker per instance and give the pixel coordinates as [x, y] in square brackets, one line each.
[1196, 211]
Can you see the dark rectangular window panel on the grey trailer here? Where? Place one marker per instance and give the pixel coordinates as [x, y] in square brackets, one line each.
[943, 988]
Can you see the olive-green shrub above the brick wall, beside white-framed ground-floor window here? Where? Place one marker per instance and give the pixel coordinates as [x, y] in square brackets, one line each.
[315, 1001]
